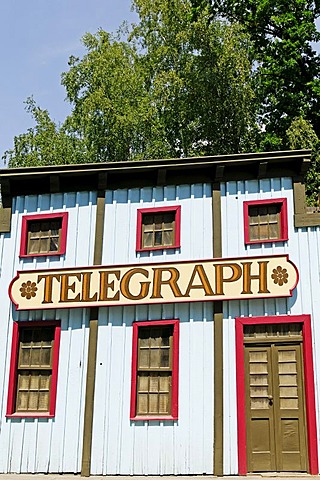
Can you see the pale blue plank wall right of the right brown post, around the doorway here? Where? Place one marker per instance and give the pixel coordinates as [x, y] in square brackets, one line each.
[303, 249]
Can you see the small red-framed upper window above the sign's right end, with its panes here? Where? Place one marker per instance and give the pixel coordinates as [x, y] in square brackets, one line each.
[265, 221]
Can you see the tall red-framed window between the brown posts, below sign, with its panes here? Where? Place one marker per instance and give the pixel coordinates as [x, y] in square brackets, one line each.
[154, 392]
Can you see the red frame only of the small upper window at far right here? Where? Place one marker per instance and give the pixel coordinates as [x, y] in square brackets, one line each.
[283, 220]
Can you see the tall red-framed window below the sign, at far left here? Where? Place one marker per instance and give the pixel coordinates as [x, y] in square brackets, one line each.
[33, 370]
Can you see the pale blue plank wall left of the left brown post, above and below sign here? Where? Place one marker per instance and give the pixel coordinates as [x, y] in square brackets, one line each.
[48, 445]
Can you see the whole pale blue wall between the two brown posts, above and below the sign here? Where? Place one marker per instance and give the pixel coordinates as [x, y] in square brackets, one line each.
[184, 446]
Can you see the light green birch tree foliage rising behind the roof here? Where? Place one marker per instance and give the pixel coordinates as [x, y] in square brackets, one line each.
[176, 85]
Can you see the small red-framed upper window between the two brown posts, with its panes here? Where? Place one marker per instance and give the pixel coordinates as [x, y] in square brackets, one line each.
[158, 228]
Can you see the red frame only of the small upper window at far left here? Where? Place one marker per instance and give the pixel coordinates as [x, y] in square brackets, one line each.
[43, 217]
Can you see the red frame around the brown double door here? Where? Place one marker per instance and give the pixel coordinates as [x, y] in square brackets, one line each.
[308, 382]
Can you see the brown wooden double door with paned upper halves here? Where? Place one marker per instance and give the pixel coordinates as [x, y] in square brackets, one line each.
[275, 407]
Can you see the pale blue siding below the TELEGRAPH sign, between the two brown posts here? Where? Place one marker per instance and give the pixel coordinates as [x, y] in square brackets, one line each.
[184, 446]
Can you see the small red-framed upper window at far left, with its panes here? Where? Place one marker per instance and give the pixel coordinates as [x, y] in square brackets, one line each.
[44, 234]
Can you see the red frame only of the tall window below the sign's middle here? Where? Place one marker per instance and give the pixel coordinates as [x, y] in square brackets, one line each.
[175, 370]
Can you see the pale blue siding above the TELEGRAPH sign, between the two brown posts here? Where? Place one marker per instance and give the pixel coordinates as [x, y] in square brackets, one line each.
[121, 223]
